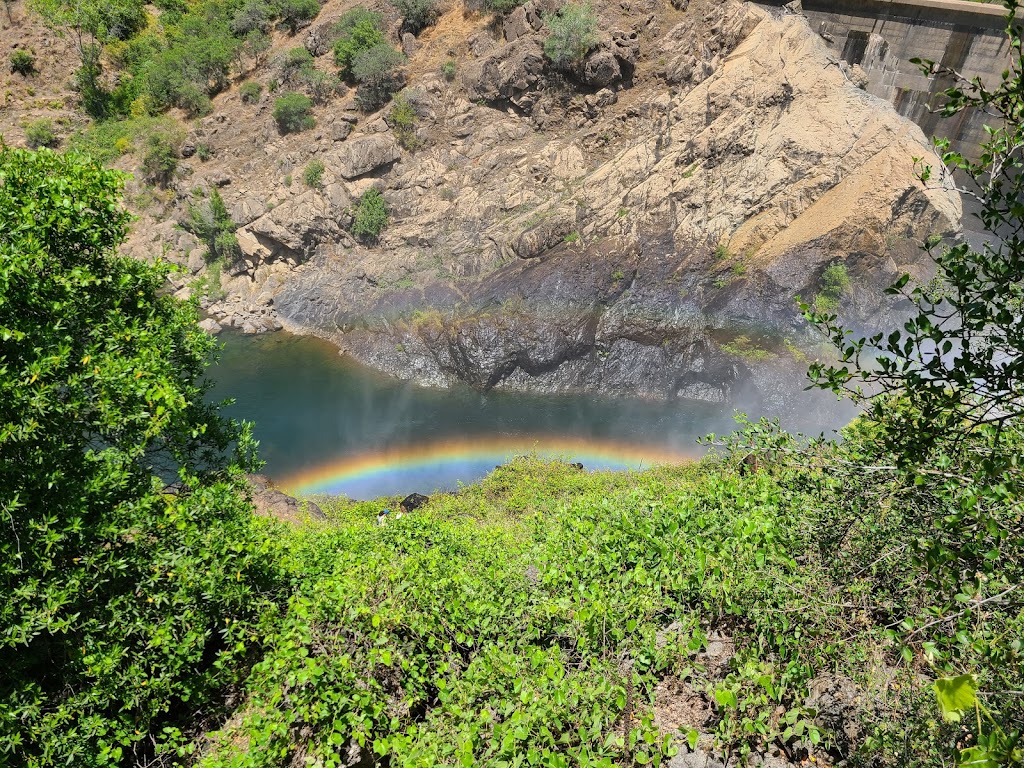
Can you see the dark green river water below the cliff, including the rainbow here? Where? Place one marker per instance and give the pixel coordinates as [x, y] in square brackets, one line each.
[328, 425]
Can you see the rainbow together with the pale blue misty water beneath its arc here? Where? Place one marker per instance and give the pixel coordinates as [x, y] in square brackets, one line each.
[446, 463]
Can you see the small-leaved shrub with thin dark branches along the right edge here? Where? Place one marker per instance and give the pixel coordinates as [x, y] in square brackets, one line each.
[943, 402]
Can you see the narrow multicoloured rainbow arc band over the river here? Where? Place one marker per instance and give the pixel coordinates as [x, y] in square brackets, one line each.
[329, 478]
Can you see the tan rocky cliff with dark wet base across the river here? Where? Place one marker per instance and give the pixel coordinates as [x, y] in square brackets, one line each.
[642, 225]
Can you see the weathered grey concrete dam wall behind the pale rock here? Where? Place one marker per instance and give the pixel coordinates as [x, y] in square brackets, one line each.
[881, 36]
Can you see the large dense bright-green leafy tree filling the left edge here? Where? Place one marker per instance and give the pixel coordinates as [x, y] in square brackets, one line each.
[127, 608]
